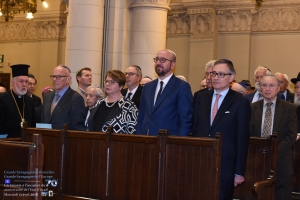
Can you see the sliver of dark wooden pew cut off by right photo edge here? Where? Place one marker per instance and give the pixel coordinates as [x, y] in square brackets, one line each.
[296, 178]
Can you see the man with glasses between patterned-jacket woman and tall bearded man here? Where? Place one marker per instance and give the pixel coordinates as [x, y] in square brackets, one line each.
[133, 91]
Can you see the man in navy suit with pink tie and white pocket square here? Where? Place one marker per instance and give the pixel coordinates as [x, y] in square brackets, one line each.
[226, 111]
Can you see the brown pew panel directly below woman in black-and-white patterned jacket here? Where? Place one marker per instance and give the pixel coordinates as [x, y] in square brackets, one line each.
[133, 167]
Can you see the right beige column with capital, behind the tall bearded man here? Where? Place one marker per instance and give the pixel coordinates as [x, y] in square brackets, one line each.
[148, 32]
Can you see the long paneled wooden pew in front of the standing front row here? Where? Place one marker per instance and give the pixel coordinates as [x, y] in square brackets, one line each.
[115, 166]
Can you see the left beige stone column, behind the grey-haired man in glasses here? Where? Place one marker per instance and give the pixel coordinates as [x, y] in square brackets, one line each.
[85, 37]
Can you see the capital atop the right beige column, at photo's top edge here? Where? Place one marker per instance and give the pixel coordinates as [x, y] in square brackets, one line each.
[162, 4]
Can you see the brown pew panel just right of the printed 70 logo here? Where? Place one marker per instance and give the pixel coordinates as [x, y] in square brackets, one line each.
[85, 164]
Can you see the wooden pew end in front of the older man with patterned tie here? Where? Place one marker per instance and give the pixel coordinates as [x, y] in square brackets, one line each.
[260, 167]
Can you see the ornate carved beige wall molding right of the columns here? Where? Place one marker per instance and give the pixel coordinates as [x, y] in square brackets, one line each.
[199, 18]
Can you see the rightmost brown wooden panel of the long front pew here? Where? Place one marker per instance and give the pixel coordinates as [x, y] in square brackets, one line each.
[189, 172]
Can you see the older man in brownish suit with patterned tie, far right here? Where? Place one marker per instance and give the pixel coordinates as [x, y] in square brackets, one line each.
[275, 115]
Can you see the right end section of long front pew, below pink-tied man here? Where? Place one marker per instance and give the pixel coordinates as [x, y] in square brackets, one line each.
[192, 168]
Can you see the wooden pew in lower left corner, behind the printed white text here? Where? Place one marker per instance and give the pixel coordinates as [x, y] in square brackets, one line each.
[17, 161]
